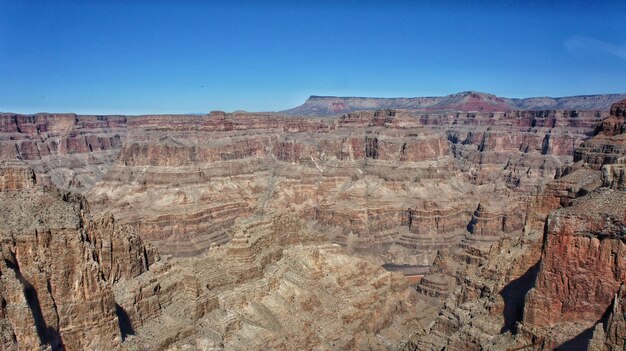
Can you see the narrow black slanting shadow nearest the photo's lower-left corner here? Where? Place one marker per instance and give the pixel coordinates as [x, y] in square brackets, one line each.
[47, 335]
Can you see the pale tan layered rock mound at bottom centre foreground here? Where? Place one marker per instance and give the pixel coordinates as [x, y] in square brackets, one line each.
[263, 291]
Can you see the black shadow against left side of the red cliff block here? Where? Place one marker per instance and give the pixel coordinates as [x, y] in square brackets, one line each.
[514, 295]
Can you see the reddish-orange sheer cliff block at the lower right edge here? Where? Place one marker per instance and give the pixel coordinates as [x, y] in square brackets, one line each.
[582, 266]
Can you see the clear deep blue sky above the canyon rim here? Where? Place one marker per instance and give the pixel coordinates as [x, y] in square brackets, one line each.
[196, 56]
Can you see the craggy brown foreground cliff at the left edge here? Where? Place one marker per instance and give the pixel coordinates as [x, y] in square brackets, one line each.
[58, 264]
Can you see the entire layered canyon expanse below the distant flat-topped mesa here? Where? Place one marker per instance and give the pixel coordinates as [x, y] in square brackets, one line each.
[252, 231]
